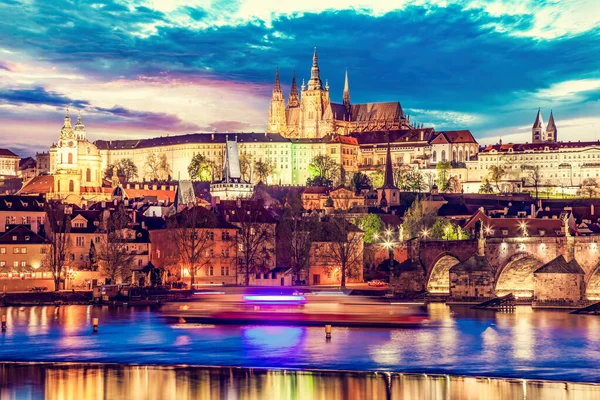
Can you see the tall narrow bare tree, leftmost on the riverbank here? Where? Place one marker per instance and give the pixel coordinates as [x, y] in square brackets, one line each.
[58, 229]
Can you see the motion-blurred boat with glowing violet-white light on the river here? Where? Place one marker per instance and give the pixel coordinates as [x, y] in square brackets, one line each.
[309, 309]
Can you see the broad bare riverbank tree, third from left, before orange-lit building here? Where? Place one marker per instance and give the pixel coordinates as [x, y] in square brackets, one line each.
[191, 233]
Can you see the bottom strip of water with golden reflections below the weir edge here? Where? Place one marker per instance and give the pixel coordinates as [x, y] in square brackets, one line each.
[87, 382]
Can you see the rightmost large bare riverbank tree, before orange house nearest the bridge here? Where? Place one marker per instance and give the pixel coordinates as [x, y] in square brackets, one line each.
[344, 246]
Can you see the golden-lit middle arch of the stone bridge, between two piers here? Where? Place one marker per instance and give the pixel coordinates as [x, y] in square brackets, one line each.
[516, 276]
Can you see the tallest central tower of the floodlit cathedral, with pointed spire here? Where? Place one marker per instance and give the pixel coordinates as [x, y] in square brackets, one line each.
[315, 99]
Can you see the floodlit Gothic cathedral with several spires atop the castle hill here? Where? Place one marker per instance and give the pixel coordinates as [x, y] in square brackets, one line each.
[311, 114]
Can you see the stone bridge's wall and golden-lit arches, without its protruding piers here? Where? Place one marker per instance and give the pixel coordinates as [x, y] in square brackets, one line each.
[510, 261]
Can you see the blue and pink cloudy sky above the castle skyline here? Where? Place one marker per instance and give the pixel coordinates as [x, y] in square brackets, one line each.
[152, 68]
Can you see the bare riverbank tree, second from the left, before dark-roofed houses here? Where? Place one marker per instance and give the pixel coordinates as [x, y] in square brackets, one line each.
[112, 254]
